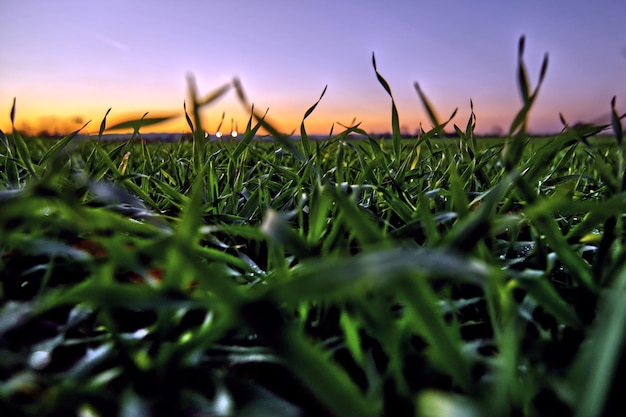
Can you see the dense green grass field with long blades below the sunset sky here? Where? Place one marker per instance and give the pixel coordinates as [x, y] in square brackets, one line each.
[421, 277]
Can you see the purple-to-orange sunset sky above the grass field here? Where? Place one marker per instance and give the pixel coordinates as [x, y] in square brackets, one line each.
[68, 61]
